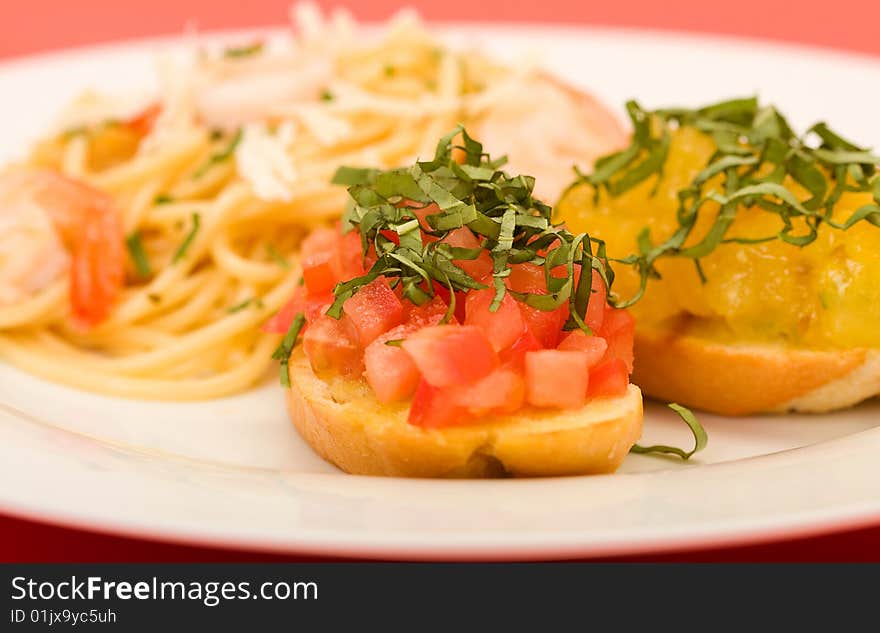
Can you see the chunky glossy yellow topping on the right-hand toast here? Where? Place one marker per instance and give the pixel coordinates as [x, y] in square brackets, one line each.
[824, 295]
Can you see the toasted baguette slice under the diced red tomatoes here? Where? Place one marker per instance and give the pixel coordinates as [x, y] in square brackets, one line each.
[341, 419]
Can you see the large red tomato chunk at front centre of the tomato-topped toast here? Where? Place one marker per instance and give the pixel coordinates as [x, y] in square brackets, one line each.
[451, 354]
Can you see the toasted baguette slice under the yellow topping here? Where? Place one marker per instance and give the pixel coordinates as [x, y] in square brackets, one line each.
[745, 379]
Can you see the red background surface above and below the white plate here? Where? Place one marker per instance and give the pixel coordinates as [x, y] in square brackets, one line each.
[37, 25]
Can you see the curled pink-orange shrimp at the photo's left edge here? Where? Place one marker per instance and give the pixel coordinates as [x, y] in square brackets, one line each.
[51, 224]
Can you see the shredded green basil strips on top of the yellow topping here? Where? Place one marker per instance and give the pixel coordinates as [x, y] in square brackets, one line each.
[758, 155]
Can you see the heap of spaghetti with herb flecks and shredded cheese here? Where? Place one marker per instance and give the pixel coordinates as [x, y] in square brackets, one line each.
[216, 184]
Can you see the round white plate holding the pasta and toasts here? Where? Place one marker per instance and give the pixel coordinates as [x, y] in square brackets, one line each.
[233, 472]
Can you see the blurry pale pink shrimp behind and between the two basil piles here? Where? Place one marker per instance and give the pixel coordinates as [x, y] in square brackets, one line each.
[547, 132]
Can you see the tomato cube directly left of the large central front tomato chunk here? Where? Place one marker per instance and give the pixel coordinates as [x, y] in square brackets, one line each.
[390, 371]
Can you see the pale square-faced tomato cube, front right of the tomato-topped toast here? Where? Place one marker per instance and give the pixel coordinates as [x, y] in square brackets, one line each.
[557, 378]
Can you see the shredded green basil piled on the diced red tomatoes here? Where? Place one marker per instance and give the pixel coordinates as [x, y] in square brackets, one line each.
[513, 226]
